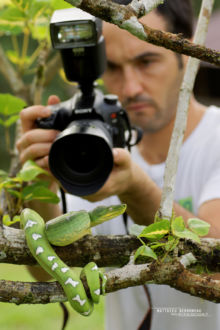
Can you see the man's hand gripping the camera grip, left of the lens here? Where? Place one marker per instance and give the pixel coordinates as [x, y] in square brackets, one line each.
[35, 142]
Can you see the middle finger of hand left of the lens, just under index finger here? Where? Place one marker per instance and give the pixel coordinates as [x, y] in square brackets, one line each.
[37, 135]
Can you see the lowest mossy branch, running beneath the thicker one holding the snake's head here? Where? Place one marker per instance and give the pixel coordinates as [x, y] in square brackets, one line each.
[171, 273]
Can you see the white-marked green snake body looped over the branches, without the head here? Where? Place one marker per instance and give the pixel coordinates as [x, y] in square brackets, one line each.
[42, 251]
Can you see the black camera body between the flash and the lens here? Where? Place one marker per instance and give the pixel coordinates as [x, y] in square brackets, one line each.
[104, 108]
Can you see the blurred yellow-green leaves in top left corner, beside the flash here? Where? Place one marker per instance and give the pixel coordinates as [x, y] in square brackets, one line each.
[30, 19]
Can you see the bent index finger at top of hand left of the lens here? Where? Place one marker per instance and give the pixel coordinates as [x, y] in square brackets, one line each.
[29, 115]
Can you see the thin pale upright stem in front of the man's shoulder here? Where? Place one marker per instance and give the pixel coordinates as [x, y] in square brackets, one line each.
[166, 205]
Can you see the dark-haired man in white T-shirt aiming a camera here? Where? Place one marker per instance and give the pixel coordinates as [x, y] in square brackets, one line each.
[147, 80]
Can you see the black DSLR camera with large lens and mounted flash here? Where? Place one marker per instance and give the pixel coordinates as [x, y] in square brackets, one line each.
[91, 123]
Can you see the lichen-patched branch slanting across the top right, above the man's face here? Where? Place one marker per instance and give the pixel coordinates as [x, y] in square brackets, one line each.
[127, 18]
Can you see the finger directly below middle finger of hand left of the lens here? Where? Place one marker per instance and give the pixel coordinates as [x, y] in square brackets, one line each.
[35, 151]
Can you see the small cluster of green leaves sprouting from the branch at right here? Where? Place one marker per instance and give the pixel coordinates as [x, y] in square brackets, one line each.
[161, 237]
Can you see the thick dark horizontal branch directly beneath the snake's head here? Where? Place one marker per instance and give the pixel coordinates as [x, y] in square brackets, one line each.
[104, 250]
